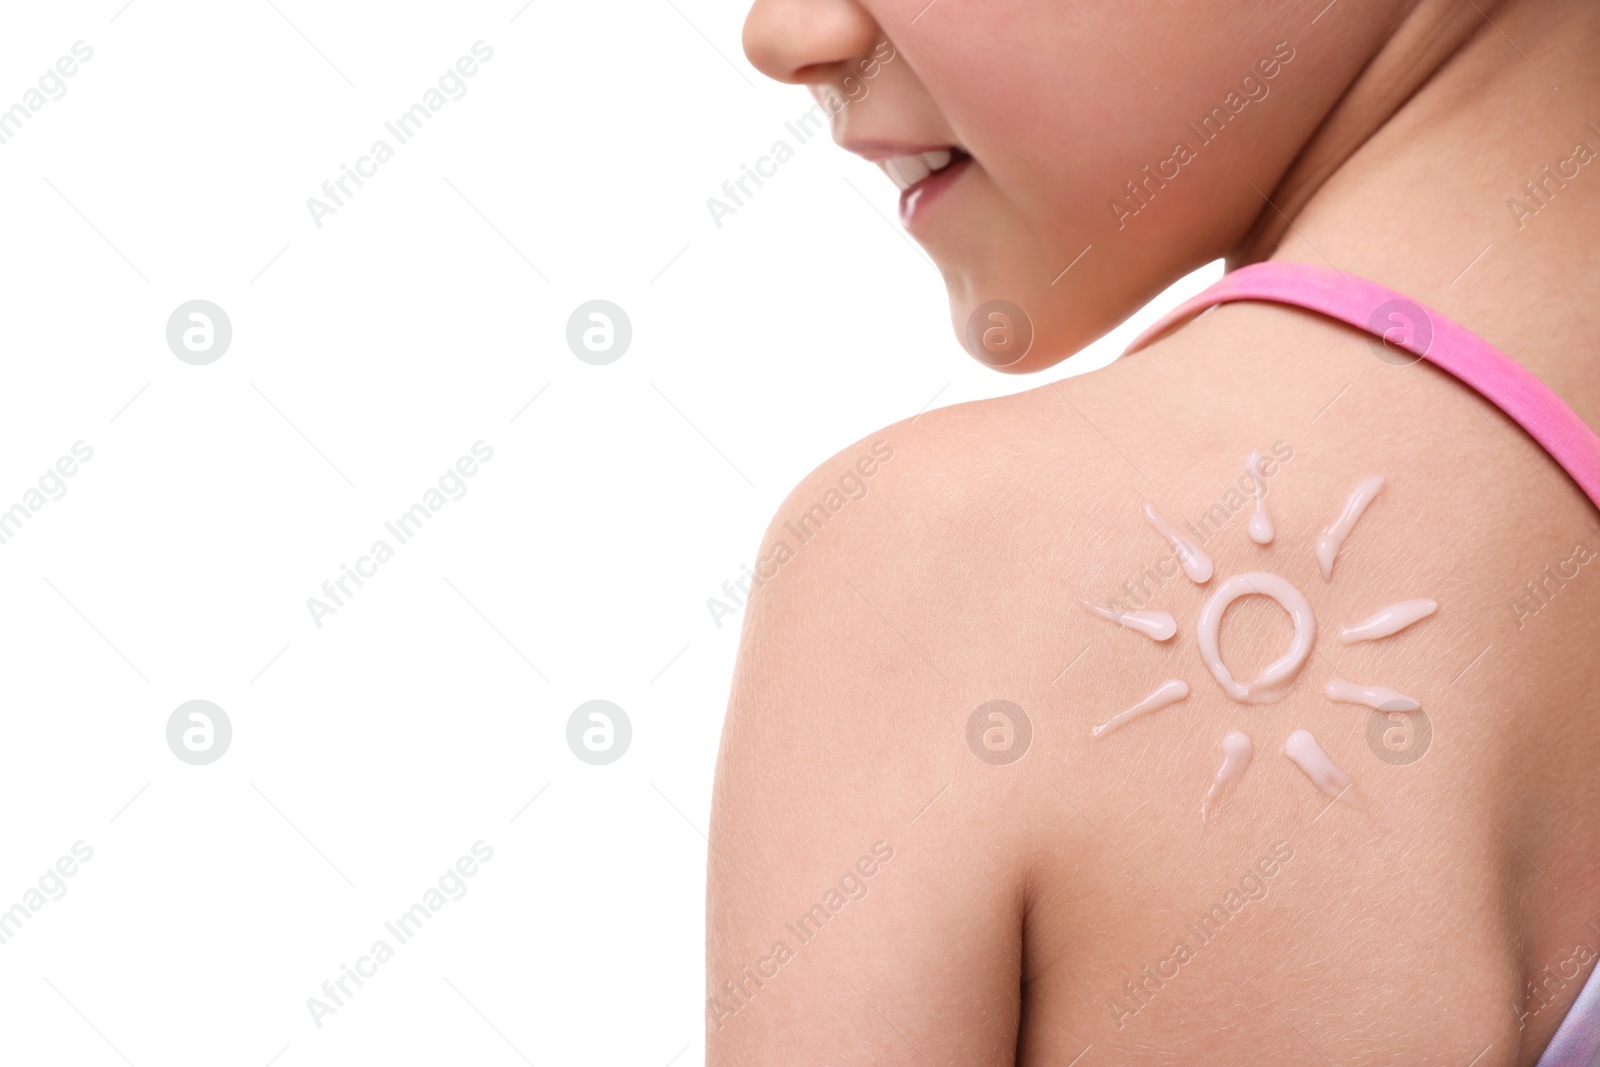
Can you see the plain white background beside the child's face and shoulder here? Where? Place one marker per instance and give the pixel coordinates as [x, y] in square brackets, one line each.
[372, 753]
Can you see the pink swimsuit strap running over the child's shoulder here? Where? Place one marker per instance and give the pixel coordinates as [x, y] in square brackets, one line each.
[1404, 324]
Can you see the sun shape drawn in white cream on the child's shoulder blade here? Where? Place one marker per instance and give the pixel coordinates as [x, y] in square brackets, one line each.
[1279, 677]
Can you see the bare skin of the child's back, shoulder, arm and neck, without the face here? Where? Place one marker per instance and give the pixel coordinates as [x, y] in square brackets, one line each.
[1022, 900]
